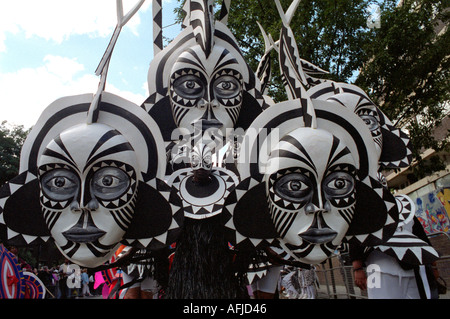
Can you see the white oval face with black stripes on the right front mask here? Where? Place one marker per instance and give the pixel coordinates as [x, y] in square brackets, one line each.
[311, 190]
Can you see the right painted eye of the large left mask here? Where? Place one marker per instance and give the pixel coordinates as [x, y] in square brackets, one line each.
[109, 183]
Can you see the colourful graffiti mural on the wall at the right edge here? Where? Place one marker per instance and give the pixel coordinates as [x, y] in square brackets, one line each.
[432, 211]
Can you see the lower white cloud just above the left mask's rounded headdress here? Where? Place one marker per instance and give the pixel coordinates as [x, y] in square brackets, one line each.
[27, 92]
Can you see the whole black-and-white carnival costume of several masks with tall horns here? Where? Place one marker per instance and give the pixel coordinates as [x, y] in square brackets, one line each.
[208, 162]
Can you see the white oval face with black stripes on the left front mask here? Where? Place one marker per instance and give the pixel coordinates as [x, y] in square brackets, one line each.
[88, 178]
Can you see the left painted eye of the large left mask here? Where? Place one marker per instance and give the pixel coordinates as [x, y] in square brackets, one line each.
[60, 184]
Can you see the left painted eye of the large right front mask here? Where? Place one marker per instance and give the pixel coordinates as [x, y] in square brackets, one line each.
[294, 187]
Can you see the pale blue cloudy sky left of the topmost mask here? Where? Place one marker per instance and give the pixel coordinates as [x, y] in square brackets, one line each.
[51, 49]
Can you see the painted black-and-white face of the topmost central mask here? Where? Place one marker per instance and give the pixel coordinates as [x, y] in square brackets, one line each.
[206, 92]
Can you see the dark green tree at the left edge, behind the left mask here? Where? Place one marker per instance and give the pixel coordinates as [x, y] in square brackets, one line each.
[11, 141]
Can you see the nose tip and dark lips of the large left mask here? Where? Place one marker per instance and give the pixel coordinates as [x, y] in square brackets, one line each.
[84, 231]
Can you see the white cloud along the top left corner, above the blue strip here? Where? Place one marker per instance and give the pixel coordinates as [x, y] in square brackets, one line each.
[57, 20]
